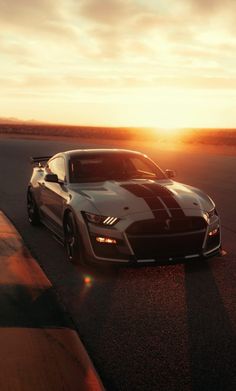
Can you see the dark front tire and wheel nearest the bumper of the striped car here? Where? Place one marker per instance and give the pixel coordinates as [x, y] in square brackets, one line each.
[73, 244]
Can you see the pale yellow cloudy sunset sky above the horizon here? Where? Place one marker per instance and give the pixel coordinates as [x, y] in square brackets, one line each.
[158, 63]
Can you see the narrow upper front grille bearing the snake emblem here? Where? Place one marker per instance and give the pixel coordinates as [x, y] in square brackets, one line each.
[171, 226]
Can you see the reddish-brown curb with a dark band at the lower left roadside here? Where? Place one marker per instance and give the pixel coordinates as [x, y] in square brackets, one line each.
[40, 350]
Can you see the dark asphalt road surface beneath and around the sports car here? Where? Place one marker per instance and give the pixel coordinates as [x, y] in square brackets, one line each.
[170, 327]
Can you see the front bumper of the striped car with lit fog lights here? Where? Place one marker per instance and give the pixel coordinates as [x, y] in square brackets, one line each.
[153, 248]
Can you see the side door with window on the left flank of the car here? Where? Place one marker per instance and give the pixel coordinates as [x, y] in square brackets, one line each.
[54, 194]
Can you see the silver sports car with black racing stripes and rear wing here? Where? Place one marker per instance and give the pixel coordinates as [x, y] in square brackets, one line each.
[116, 205]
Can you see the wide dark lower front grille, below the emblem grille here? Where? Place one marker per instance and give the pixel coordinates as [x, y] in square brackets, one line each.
[167, 246]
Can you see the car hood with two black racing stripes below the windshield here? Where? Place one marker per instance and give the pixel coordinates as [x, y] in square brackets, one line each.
[113, 198]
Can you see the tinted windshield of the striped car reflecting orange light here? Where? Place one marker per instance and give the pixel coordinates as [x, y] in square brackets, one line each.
[122, 166]
